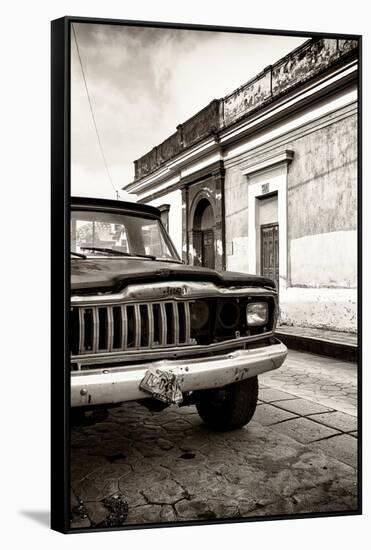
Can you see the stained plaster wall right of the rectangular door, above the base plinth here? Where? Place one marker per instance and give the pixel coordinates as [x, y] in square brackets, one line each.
[322, 207]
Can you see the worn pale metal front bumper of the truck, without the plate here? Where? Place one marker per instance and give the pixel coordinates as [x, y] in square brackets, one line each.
[108, 386]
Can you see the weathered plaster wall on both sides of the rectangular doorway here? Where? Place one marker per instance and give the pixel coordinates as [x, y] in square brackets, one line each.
[321, 226]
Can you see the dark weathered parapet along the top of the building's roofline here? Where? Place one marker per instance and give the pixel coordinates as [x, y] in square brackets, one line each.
[314, 58]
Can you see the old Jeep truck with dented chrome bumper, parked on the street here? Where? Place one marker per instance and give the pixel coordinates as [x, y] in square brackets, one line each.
[146, 327]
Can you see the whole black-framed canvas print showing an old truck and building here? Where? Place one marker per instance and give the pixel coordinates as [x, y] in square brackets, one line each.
[206, 274]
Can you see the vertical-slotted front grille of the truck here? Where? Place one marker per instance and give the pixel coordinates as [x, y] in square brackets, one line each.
[110, 328]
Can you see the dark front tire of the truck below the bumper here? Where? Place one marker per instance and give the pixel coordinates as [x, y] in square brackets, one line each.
[230, 407]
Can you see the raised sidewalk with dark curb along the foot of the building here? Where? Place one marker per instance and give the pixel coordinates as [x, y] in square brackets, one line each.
[340, 345]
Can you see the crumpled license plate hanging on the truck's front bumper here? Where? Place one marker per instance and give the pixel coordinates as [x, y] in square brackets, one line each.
[162, 385]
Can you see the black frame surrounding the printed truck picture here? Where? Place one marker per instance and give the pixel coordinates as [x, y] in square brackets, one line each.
[60, 265]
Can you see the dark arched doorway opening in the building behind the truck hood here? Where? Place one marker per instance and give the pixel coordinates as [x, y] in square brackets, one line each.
[203, 234]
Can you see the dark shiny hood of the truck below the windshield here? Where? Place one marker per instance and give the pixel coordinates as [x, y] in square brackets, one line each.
[113, 274]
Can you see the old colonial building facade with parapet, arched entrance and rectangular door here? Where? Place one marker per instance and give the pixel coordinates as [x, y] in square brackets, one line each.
[264, 181]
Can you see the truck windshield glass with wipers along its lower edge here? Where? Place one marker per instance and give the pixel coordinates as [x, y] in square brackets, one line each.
[113, 234]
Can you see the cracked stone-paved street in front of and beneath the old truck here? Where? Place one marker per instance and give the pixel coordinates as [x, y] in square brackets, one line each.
[297, 455]
